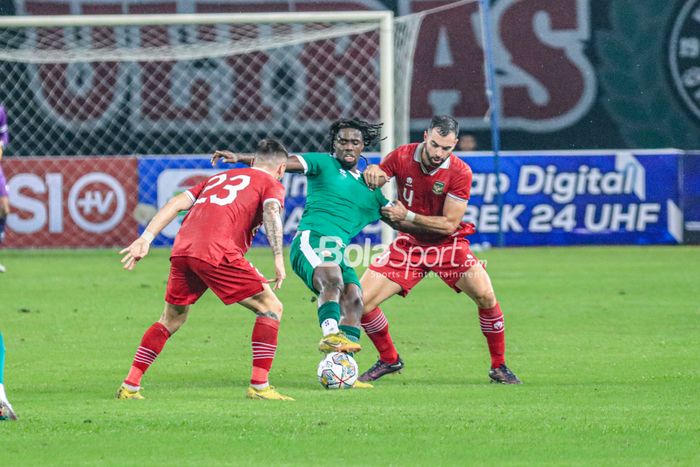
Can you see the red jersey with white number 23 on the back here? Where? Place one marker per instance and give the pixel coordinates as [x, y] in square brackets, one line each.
[226, 213]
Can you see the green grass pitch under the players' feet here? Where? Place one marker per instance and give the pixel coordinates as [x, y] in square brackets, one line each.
[605, 340]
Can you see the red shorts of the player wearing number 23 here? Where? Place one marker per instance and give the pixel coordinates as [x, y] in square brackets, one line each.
[231, 281]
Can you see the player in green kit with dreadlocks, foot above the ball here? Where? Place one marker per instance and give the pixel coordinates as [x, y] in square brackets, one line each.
[338, 206]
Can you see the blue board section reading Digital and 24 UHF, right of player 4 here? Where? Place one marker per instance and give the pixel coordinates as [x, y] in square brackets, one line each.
[578, 198]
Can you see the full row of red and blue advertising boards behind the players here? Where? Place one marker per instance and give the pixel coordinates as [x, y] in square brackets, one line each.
[550, 198]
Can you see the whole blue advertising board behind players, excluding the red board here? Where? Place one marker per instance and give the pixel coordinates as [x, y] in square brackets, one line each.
[558, 198]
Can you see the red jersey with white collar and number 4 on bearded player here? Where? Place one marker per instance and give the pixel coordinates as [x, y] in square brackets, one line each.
[424, 192]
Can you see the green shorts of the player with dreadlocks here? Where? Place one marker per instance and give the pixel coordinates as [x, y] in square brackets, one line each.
[308, 252]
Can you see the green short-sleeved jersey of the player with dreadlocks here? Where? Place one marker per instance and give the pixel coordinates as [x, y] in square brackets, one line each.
[338, 201]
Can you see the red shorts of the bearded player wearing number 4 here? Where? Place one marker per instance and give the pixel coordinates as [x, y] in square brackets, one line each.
[406, 263]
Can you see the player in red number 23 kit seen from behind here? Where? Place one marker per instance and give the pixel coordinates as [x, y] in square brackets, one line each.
[225, 211]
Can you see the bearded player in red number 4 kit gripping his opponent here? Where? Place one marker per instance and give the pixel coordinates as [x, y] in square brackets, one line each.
[433, 191]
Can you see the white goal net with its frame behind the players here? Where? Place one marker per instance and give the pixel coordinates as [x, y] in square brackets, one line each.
[159, 87]
